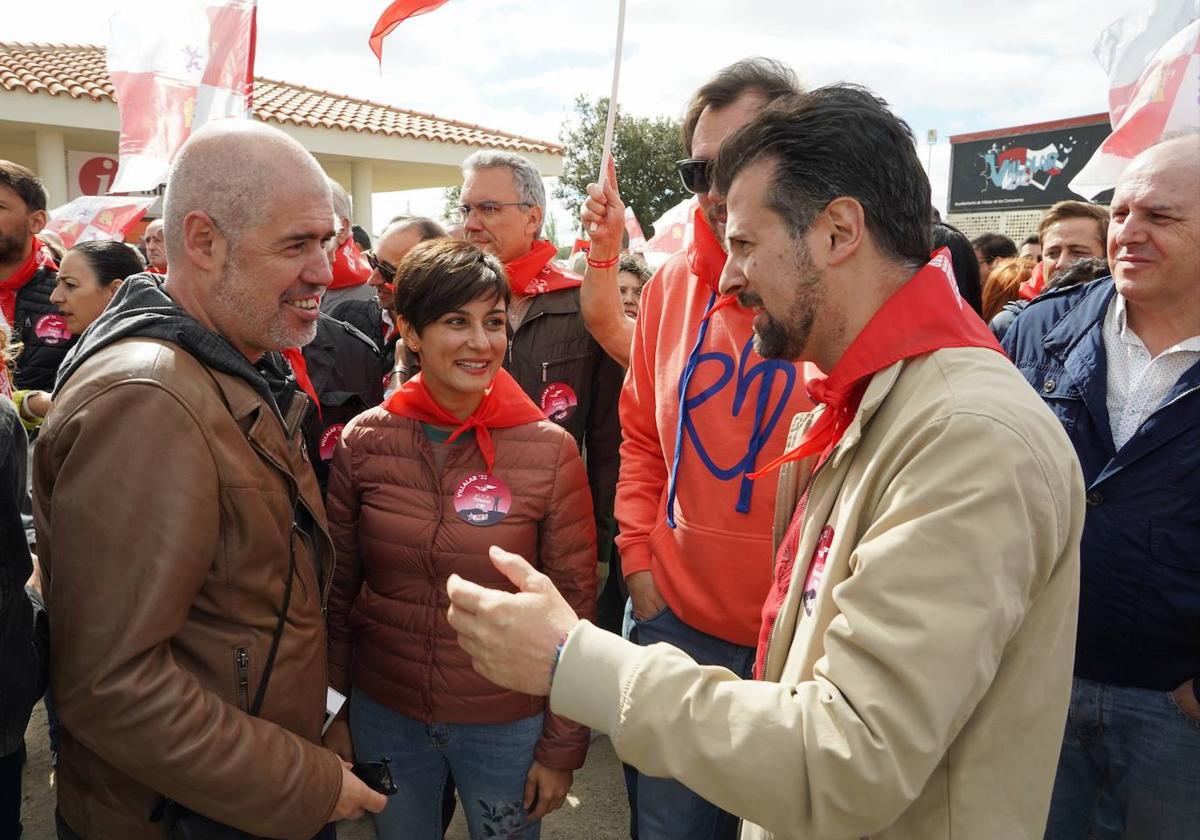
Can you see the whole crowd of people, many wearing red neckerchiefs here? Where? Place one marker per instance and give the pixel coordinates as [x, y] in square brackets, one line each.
[839, 525]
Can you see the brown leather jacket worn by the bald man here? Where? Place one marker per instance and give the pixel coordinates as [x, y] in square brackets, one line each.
[165, 514]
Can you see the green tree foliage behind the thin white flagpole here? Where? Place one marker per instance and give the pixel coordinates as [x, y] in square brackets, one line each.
[645, 149]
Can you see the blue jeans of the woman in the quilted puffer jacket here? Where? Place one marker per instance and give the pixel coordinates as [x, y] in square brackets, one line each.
[490, 764]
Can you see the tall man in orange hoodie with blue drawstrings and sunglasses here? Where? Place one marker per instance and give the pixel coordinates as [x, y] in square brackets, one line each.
[695, 532]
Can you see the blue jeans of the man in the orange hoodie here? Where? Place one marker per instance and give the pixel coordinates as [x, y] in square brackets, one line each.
[667, 809]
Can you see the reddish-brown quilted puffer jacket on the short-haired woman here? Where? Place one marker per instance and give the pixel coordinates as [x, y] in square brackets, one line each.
[399, 539]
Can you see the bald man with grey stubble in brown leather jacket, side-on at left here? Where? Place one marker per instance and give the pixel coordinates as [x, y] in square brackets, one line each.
[182, 533]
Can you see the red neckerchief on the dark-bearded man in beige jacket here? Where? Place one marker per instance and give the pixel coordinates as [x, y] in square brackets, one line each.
[925, 315]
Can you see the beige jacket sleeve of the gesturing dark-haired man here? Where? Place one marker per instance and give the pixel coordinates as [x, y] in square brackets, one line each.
[962, 538]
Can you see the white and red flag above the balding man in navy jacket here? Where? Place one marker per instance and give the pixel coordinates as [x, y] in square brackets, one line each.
[1165, 97]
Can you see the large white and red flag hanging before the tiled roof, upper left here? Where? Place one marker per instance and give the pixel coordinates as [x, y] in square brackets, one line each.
[176, 67]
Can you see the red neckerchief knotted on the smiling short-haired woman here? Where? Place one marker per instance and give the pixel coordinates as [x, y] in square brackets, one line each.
[505, 405]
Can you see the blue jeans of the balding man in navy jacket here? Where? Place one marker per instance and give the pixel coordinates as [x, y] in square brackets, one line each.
[1130, 767]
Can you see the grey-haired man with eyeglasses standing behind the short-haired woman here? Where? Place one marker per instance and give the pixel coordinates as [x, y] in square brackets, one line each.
[551, 353]
